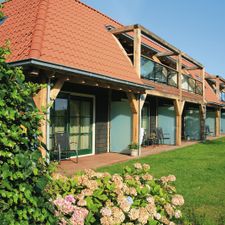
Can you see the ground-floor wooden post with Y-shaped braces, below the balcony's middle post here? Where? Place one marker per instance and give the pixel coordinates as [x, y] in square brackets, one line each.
[179, 106]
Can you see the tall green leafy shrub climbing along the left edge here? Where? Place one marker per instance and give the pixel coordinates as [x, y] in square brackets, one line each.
[23, 172]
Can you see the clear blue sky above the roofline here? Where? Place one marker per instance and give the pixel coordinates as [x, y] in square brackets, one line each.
[197, 27]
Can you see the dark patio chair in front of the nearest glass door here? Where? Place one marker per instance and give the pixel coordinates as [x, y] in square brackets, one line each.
[62, 146]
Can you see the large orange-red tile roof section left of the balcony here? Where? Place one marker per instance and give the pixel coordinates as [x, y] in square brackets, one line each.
[65, 32]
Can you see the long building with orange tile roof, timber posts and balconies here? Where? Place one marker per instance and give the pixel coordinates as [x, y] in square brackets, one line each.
[109, 84]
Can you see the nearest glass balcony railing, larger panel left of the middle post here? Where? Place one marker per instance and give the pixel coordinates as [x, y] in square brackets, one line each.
[157, 72]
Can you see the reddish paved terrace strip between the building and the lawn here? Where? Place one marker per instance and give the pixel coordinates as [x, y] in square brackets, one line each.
[69, 167]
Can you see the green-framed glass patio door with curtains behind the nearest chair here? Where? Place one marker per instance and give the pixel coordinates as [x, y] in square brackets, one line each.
[74, 115]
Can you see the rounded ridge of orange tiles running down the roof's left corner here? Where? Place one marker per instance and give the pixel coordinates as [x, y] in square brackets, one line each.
[39, 29]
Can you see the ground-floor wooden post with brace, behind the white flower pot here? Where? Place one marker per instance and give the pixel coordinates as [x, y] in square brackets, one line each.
[135, 116]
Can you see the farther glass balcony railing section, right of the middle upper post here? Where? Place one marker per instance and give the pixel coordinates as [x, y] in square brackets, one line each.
[191, 85]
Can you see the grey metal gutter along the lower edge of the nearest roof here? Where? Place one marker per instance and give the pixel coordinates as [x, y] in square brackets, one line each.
[73, 71]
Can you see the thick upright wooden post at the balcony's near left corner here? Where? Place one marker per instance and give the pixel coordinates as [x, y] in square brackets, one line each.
[137, 51]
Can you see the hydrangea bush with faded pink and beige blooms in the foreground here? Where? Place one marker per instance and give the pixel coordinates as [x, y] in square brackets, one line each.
[135, 197]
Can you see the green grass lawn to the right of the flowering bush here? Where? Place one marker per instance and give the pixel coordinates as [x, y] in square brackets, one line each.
[200, 172]
